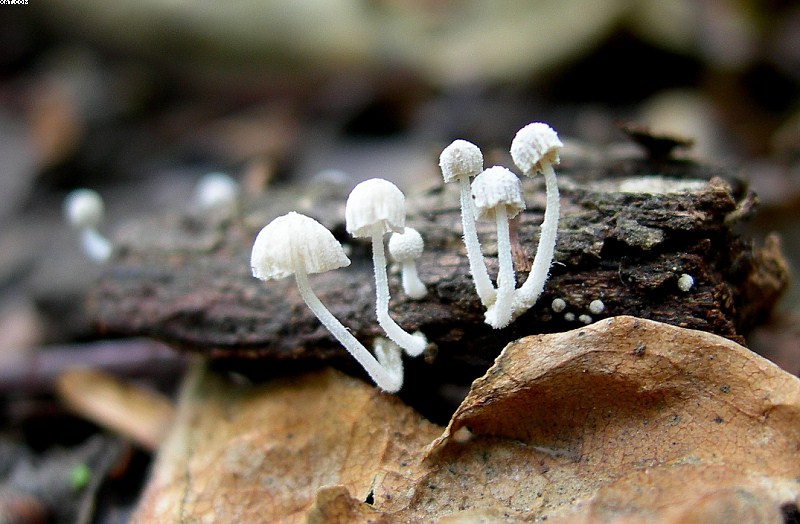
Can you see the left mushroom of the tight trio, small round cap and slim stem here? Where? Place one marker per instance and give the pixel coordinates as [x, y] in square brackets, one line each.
[459, 162]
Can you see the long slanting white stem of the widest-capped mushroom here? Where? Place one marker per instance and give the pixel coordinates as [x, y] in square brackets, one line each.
[386, 379]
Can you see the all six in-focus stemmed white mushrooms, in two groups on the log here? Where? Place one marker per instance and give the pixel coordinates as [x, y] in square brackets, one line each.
[294, 244]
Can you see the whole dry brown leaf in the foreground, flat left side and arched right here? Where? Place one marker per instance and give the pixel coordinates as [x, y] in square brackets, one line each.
[626, 420]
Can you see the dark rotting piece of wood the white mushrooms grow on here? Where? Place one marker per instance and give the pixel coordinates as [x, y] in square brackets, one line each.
[629, 228]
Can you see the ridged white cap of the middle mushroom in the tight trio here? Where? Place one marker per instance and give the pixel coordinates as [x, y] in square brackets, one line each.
[495, 187]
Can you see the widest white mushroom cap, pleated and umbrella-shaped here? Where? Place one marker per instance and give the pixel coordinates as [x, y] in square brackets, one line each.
[294, 241]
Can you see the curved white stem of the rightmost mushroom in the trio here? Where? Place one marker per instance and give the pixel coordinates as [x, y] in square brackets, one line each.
[527, 295]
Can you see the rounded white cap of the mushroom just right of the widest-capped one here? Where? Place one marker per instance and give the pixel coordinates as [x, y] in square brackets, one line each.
[375, 202]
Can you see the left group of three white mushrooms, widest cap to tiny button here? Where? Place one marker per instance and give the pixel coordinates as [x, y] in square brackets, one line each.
[294, 244]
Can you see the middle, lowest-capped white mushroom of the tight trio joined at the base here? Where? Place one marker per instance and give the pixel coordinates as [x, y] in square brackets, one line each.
[497, 195]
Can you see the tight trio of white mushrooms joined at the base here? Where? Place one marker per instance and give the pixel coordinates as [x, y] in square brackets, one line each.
[496, 194]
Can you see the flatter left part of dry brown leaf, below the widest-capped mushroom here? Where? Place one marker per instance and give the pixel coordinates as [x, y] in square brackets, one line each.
[261, 454]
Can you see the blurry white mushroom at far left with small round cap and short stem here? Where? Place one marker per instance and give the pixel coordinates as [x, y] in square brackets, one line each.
[84, 209]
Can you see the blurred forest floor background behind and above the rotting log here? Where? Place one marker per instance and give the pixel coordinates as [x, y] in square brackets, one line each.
[138, 100]
